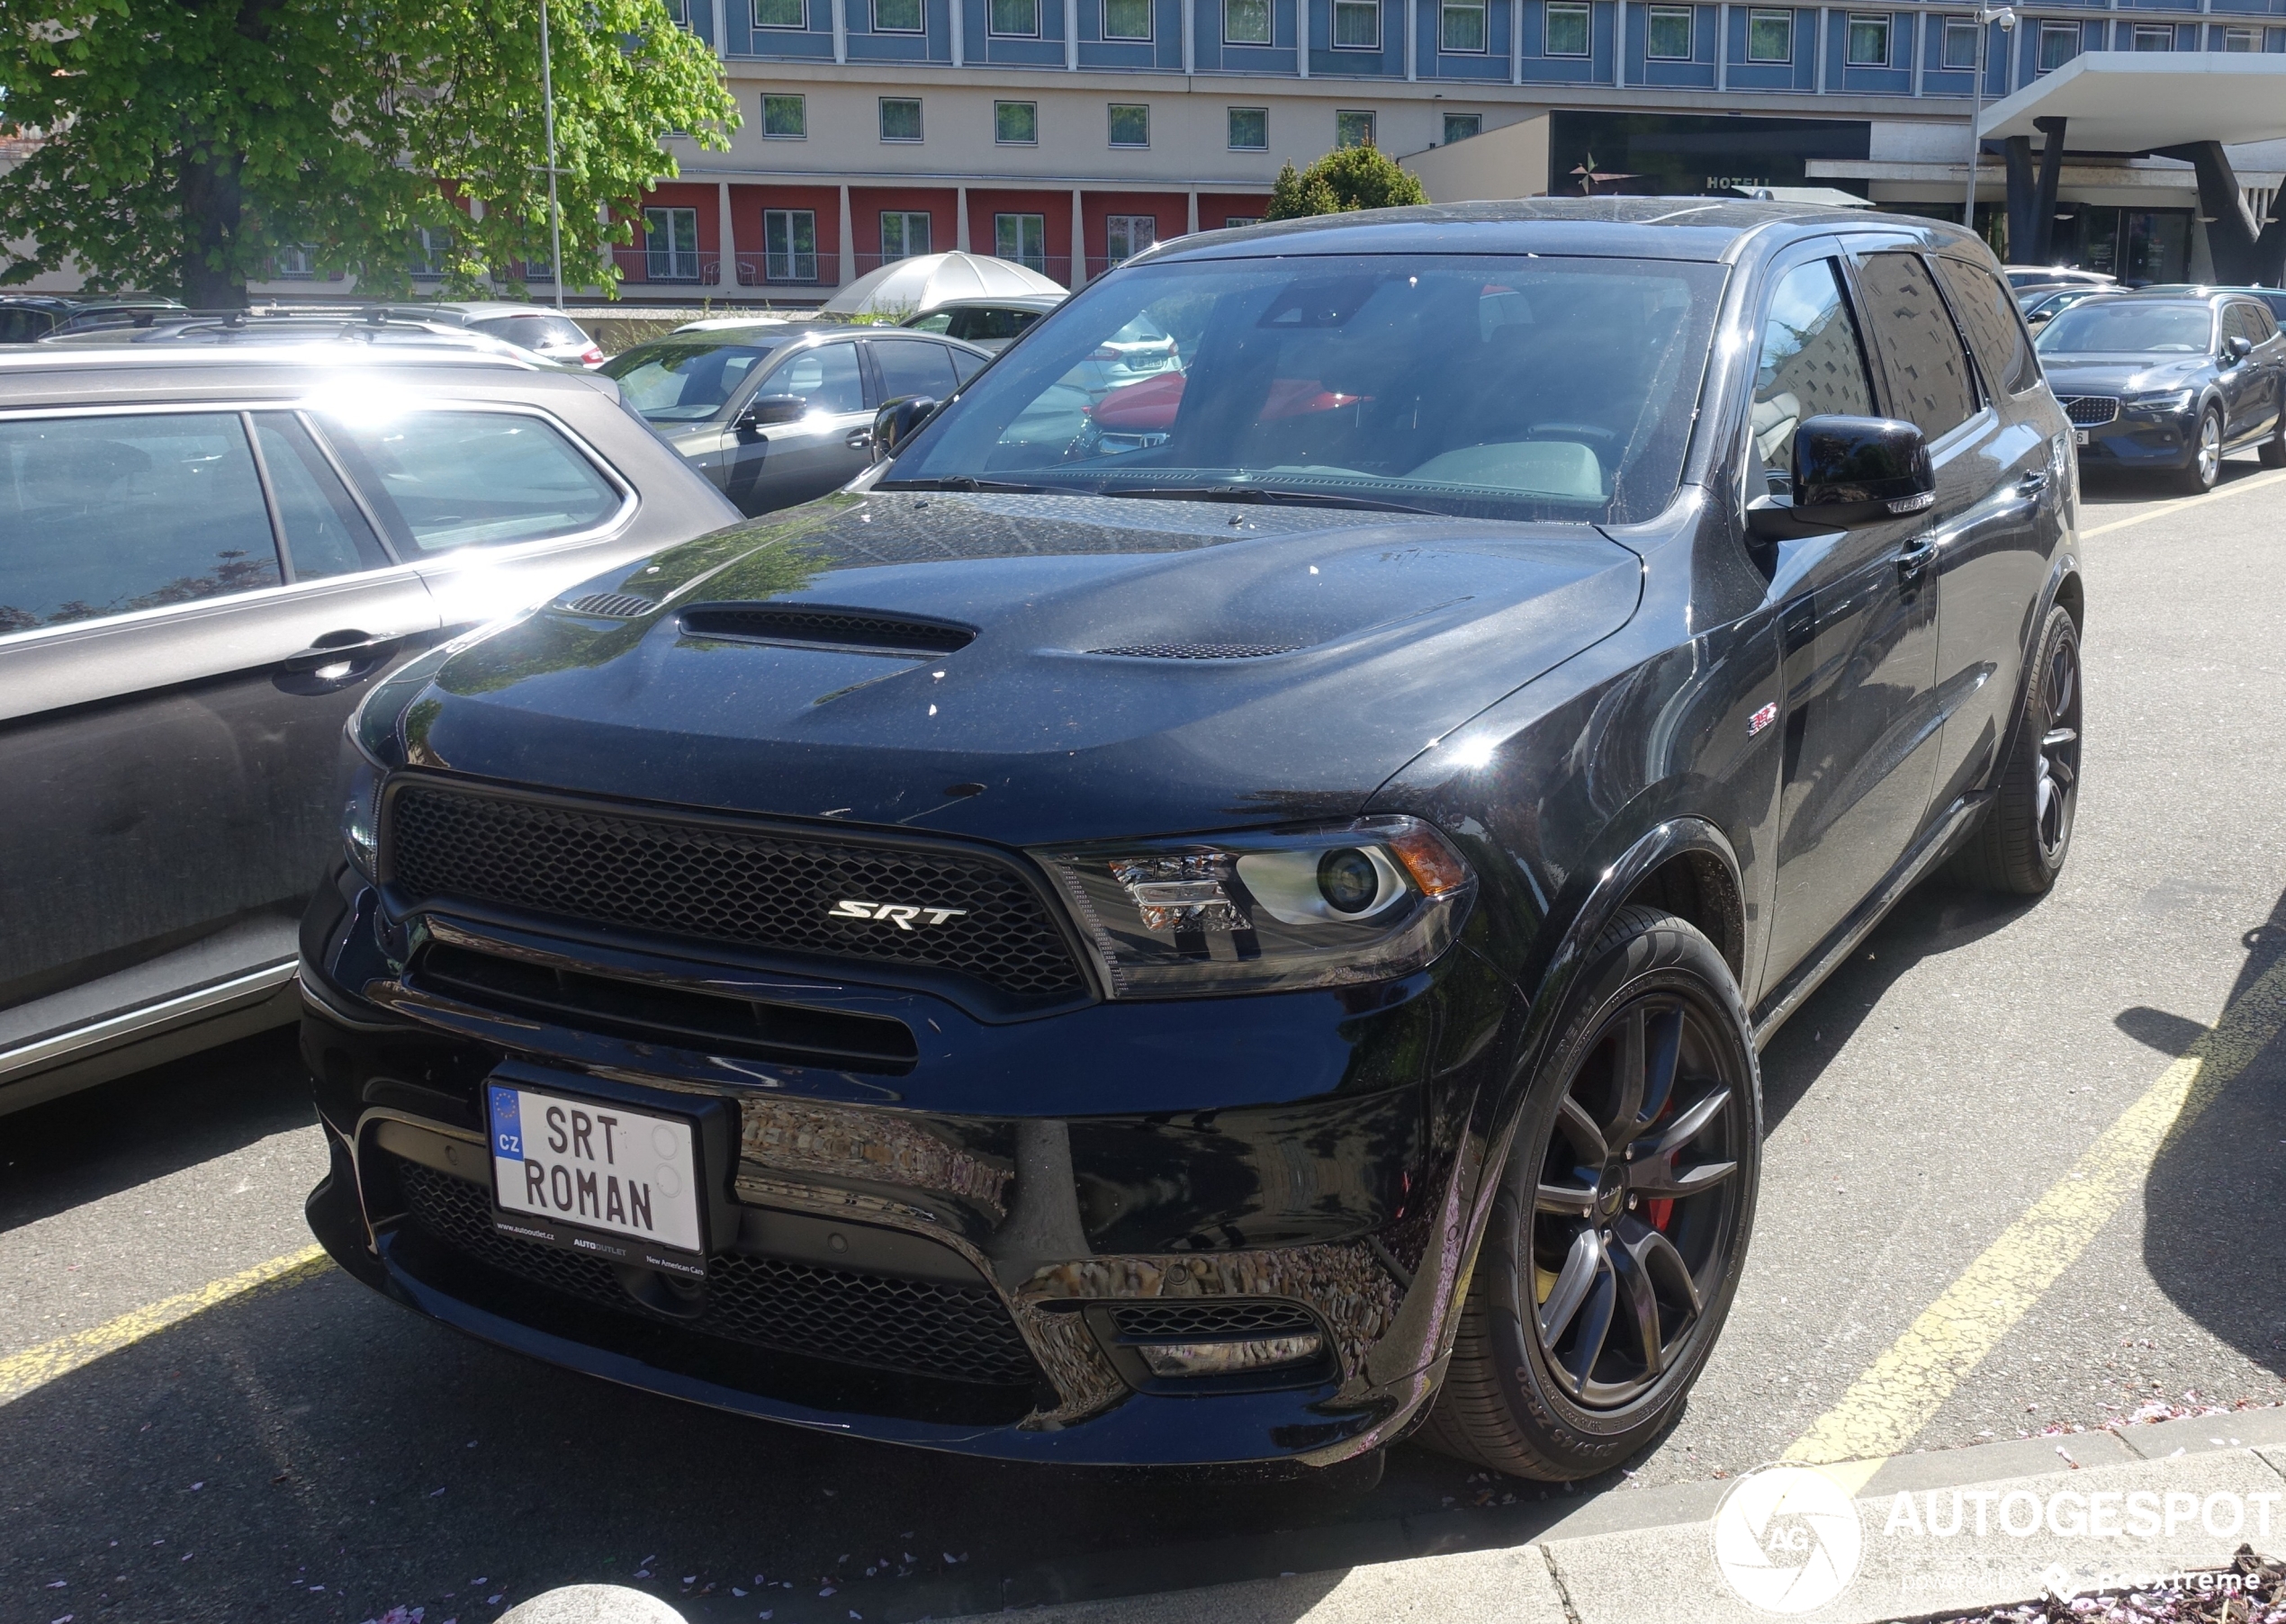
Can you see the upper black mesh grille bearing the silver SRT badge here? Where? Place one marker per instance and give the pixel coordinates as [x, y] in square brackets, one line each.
[721, 883]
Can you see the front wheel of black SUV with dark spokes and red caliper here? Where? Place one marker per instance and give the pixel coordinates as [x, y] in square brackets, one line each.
[1526, 1392]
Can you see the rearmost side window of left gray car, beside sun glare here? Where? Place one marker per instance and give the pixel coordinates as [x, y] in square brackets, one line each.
[442, 481]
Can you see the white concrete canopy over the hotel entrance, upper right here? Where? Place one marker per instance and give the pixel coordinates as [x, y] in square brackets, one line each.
[2129, 102]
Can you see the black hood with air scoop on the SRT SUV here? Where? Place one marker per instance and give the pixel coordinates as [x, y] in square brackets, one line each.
[1114, 684]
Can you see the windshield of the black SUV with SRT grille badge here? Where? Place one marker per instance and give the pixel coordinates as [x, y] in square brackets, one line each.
[1498, 387]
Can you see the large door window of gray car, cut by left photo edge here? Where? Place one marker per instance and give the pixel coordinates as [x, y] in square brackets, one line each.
[106, 515]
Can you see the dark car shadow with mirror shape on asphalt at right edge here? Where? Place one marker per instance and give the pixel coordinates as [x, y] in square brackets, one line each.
[2216, 1196]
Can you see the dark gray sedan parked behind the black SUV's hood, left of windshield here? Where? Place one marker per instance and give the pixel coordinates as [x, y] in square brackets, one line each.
[781, 412]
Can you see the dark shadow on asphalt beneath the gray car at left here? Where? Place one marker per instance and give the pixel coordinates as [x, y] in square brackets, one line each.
[150, 1125]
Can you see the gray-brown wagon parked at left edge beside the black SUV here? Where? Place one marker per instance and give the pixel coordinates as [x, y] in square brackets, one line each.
[207, 556]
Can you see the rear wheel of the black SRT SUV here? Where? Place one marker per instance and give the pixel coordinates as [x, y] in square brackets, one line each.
[2027, 833]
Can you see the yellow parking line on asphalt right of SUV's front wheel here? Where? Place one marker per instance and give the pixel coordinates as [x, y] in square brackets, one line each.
[1905, 1388]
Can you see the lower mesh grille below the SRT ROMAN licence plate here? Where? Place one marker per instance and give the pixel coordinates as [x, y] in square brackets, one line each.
[877, 1321]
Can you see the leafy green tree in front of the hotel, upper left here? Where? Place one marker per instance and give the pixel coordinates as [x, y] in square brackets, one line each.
[186, 143]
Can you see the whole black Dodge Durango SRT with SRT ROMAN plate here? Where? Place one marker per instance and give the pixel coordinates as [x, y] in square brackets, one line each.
[1231, 915]
